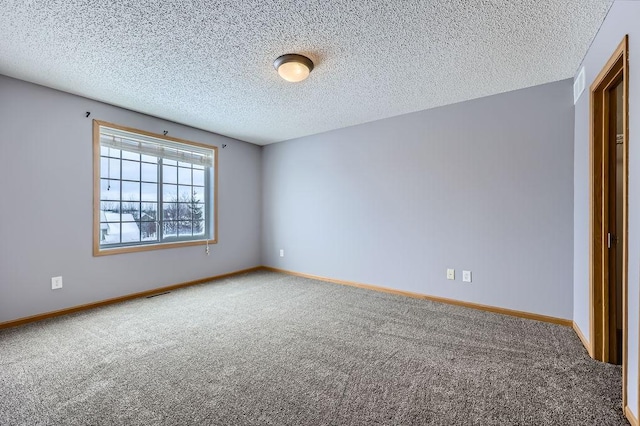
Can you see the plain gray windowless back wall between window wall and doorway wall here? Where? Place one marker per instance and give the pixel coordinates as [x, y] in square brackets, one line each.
[484, 185]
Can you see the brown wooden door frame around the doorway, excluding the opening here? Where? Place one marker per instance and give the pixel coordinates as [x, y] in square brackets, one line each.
[616, 68]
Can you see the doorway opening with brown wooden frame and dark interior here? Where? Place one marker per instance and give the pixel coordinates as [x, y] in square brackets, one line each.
[609, 211]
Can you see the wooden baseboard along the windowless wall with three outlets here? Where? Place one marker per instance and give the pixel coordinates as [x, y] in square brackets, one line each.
[494, 309]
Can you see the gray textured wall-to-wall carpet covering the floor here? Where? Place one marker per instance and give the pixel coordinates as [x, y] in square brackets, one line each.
[271, 349]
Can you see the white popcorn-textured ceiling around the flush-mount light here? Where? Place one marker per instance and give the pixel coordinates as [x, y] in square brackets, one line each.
[209, 64]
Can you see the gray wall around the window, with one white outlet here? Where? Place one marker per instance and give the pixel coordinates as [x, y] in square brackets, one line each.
[46, 209]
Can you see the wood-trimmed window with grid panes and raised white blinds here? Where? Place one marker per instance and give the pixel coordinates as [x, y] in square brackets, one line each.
[151, 191]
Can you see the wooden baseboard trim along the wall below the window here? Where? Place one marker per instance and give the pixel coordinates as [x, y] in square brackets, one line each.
[74, 309]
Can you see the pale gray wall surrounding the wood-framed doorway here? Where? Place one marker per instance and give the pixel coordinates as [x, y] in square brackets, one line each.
[622, 19]
